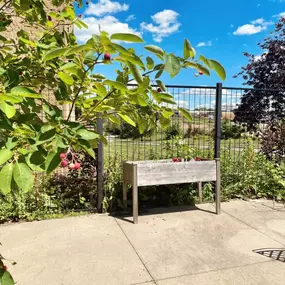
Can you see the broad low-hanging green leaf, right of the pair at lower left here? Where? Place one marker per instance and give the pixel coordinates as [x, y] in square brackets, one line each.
[23, 176]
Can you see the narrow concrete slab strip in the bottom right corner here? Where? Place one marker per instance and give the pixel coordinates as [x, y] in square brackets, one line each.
[268, 273]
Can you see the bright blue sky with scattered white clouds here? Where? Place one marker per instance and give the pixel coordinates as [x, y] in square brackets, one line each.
[220, 30]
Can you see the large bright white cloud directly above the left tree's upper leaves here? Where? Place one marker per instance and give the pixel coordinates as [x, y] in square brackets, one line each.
[109, 24]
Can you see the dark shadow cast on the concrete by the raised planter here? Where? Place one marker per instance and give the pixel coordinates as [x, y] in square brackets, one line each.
[127, 216]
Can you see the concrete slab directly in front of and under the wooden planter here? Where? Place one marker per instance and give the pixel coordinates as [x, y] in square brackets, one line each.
[188, 242]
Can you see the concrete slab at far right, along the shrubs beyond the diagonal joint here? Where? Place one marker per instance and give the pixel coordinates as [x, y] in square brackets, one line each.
[260, 215]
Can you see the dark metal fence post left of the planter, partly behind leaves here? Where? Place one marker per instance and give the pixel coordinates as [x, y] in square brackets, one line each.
[100, 169]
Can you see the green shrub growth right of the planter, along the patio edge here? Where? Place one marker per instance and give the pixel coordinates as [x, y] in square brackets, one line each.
[251, 176]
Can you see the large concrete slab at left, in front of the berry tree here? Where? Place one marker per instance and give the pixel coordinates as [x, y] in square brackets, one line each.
[82, 250]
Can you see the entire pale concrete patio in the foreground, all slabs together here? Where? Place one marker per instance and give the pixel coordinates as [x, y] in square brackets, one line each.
[168, 247]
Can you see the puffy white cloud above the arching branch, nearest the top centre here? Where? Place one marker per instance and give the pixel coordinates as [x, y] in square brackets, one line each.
[165, 24]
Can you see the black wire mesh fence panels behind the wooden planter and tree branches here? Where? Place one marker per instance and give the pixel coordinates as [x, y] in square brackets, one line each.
[239, 138]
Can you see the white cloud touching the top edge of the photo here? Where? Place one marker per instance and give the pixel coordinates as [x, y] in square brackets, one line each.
[103, 7]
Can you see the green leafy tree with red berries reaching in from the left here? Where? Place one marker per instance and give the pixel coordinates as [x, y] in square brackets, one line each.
[34, 129]
